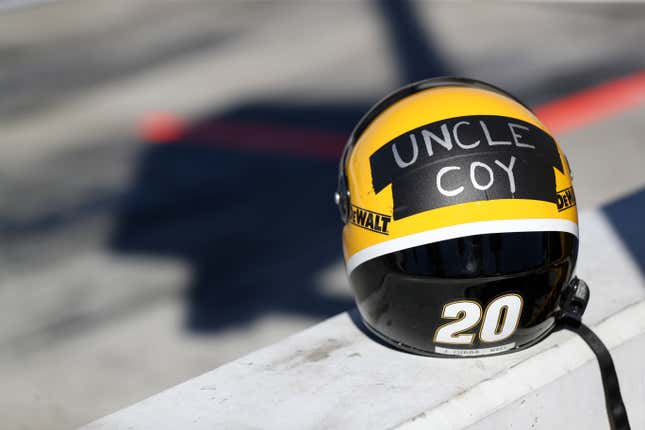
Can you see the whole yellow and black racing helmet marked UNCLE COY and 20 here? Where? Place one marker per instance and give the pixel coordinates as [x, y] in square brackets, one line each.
[461, 227]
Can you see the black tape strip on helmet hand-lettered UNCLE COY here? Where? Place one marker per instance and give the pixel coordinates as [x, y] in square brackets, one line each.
[507, 157]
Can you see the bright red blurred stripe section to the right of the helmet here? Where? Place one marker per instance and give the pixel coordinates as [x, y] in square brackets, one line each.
[593, 104]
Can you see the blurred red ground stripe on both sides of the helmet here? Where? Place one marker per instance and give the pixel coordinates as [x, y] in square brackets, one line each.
[561, 115]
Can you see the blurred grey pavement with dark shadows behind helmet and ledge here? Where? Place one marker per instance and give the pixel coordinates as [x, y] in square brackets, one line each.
[137, 252]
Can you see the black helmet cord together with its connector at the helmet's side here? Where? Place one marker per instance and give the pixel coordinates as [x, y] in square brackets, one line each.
[574, 303]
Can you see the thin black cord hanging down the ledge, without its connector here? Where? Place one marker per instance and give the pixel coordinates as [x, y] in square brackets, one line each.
[616, 411]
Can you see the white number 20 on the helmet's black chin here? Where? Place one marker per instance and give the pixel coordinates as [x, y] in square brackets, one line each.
[501, 318]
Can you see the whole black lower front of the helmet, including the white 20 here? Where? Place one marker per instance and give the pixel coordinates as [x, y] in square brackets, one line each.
[470, 296]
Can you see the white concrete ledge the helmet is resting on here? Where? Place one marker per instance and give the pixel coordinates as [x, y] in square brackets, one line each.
[335, 376]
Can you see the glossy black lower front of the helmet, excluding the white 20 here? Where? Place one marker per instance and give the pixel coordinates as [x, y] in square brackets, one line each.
[401, 295]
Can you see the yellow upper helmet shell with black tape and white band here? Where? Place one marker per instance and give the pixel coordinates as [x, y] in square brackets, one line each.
[450, 159]
